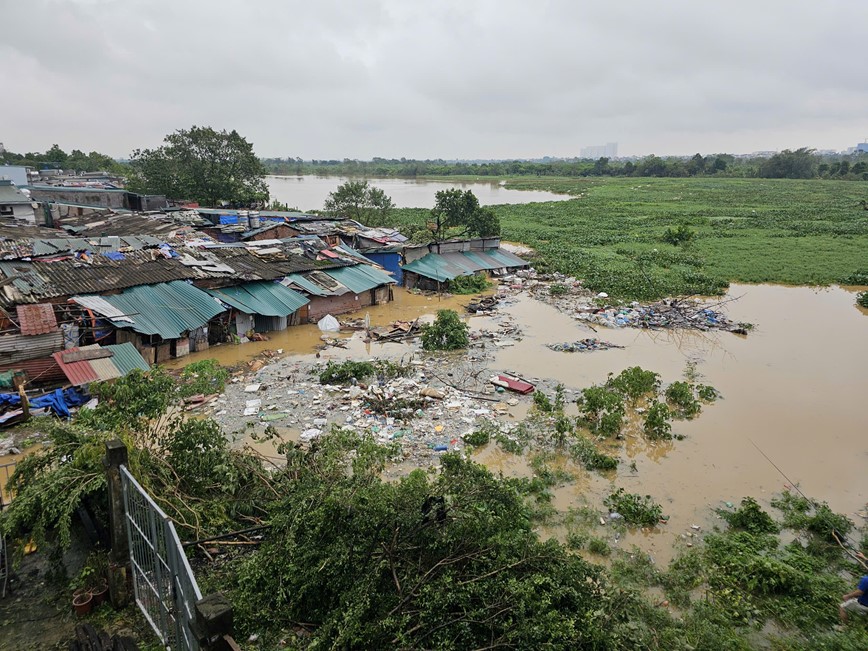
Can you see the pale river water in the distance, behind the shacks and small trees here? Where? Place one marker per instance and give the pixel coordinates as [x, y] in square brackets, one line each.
[309, 192]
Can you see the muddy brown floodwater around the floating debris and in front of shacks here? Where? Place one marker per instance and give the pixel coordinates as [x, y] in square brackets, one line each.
[793, 389]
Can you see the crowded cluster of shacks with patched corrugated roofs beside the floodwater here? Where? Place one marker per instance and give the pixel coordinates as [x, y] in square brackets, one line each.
[101, 293]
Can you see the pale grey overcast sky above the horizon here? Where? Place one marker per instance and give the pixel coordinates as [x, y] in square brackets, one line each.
[442, 78]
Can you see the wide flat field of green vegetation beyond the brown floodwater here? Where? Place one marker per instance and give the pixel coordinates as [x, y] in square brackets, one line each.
[749, 230]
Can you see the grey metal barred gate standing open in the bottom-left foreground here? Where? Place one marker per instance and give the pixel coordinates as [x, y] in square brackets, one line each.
[164, 585]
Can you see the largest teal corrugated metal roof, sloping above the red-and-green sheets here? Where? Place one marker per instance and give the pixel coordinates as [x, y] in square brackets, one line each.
[165, 309]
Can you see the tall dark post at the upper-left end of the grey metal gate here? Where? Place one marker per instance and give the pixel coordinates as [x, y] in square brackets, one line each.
[119, 556]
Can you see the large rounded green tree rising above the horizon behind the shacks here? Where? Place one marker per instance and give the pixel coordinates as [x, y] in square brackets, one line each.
[202, 165]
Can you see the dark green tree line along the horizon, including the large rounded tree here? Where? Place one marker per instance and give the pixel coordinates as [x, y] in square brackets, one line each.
[219, 167]
